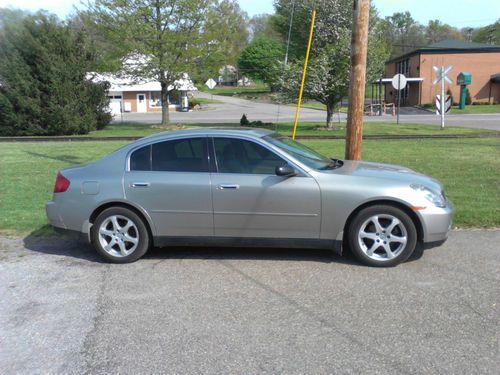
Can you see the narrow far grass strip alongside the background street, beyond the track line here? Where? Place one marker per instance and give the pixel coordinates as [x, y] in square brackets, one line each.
[304, 128]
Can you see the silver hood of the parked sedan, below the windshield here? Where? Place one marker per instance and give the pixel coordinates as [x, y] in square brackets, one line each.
[386, 172]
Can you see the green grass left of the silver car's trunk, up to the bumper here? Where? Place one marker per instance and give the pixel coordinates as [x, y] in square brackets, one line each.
[28, 172]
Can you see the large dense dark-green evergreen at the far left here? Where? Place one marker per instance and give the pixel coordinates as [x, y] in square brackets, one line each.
[43, 84]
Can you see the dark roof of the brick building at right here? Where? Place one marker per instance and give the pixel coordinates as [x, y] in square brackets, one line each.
[450, 46]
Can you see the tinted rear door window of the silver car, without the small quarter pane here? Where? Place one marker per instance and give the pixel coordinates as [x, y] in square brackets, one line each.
[182, 155]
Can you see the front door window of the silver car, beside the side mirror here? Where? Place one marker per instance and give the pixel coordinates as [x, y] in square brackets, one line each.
[240, 156]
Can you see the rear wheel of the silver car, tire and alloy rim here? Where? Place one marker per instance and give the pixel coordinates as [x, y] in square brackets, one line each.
[119, 235]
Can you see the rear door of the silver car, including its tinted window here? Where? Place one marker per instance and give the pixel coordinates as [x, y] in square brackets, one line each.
[171, 181]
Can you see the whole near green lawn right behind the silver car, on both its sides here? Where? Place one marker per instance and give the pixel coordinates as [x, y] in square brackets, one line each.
[469, 169]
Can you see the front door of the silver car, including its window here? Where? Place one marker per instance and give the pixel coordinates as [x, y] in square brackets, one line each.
[250, 200]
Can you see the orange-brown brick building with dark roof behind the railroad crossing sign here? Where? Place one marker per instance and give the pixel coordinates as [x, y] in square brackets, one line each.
[482, 61]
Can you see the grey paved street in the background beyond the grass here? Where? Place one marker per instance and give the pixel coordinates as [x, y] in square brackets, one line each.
[233, 108]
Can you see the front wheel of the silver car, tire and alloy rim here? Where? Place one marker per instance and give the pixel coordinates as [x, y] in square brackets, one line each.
[382, 236]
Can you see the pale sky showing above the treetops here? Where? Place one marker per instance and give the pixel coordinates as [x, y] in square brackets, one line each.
[458, 13]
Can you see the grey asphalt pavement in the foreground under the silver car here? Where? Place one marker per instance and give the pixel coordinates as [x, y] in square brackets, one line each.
[221, 311]
